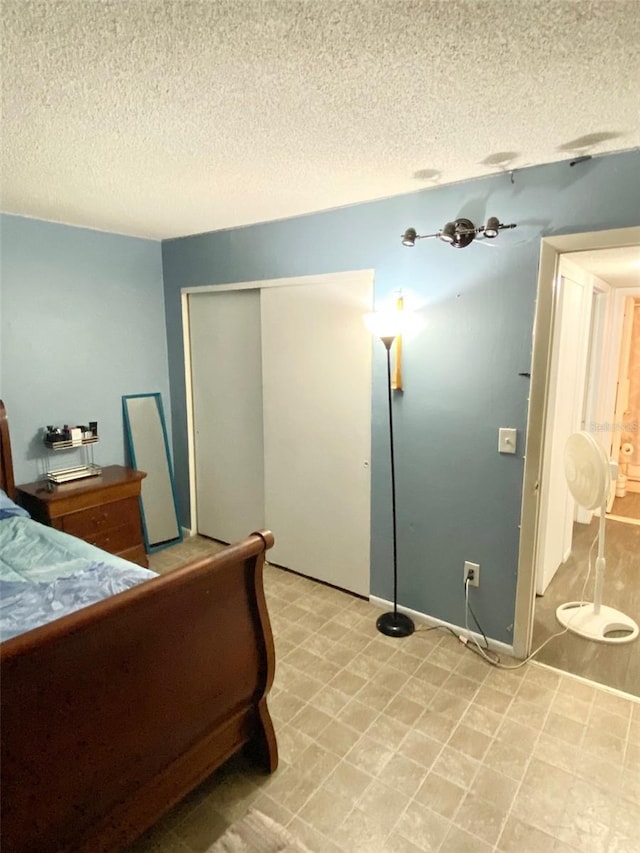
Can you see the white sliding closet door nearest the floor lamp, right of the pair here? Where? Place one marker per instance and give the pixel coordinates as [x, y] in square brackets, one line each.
[316, 364]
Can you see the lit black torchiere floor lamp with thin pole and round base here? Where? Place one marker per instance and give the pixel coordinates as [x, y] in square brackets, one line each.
[388, 328]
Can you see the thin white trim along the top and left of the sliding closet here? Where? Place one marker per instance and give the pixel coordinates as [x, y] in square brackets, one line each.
[343, 277]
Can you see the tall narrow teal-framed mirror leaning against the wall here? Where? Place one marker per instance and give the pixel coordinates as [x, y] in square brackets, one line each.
[148, 446]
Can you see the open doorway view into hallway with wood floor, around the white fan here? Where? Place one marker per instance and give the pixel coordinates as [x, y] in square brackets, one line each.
[600, 378]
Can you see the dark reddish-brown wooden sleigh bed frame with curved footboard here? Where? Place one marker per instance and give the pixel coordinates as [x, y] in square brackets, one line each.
[112, 714]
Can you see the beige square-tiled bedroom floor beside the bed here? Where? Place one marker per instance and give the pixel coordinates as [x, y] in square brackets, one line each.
[419, 745]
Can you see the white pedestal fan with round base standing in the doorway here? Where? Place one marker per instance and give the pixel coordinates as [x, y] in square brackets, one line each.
[588, 473]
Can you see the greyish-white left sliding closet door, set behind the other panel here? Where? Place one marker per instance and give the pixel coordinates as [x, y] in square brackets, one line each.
[226, 377]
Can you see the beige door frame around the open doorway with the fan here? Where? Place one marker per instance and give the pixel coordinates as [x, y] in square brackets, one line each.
[550, 251]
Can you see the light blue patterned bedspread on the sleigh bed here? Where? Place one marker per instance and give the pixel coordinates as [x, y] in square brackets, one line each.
[46, 574]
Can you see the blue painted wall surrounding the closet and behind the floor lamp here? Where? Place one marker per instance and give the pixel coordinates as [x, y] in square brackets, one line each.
[458, 499]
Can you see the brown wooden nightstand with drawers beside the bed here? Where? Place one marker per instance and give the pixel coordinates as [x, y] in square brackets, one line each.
[102, 510]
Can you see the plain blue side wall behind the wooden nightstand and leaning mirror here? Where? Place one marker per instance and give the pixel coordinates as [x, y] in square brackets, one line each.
[82, 324]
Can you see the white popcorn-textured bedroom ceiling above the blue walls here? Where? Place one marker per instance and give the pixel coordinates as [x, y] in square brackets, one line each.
[168, 118]
